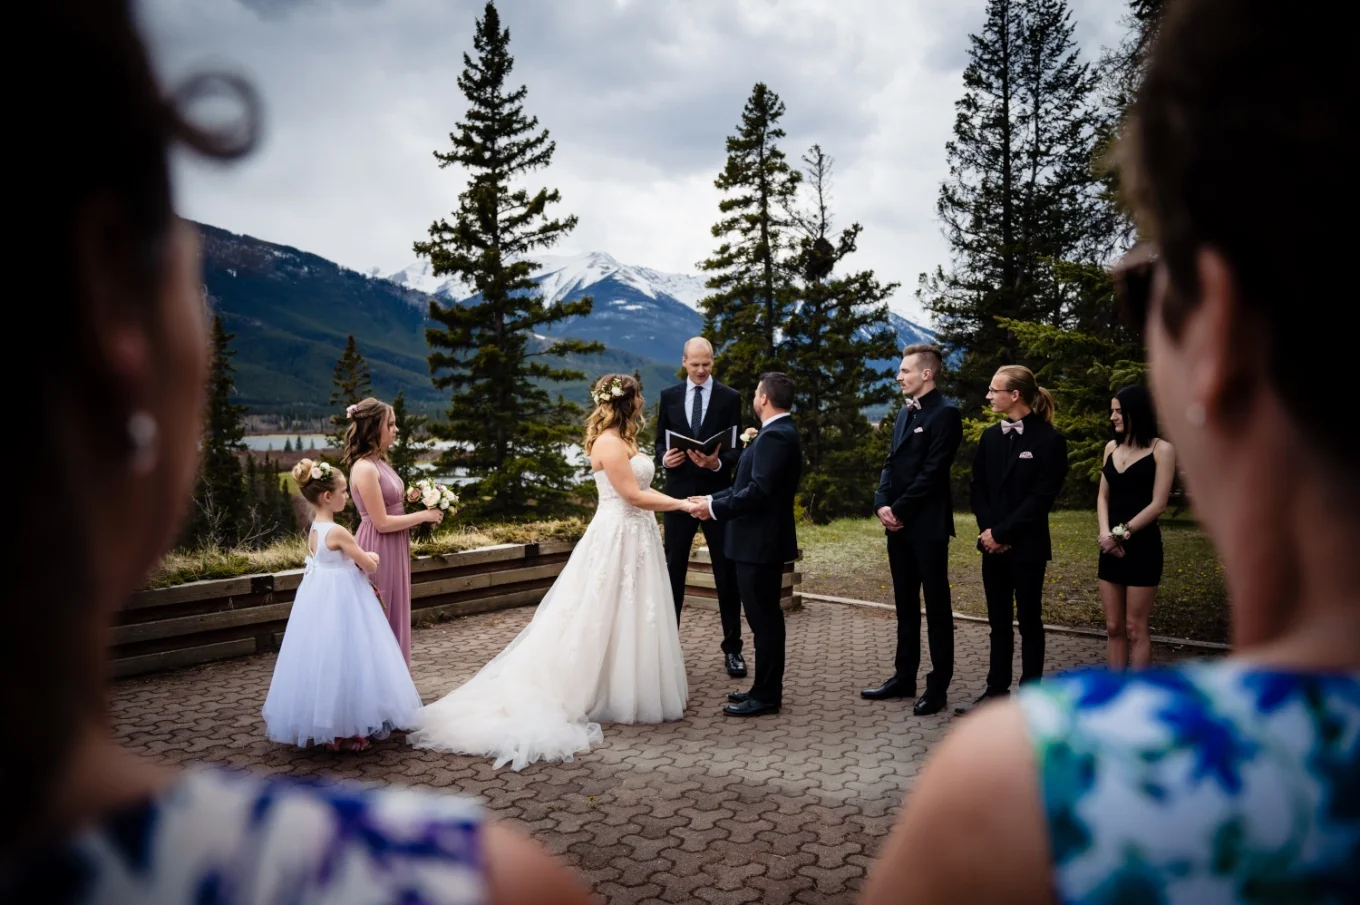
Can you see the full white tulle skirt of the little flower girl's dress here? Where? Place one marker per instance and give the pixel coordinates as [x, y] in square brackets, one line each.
[341, 672]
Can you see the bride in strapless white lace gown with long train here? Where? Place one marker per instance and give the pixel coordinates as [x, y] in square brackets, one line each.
[603, 646]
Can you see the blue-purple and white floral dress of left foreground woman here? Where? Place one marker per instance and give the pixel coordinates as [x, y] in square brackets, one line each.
[225, 839]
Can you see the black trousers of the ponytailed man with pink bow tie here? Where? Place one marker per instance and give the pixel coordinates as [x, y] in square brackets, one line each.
[1006, 580]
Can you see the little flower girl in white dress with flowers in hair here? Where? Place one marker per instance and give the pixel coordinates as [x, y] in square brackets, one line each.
[341, 673]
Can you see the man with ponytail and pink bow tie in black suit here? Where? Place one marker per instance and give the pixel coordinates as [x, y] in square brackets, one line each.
[1018, 473]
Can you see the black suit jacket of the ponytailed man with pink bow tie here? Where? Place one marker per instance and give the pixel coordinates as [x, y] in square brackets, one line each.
[1015, 481]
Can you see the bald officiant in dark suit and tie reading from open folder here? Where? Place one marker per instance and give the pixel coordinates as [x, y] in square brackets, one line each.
[701, 408]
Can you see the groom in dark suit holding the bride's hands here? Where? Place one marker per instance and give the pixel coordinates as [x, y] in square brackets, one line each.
[762, 536]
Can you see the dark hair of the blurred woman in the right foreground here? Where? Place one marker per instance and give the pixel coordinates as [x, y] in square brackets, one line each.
[1244, 105]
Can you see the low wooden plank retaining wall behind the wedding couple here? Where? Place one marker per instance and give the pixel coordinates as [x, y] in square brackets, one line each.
[203, 621]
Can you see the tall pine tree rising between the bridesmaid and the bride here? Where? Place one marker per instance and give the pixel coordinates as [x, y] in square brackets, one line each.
[485, 352]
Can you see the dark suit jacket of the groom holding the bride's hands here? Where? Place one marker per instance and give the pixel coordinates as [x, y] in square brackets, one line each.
[760, 506]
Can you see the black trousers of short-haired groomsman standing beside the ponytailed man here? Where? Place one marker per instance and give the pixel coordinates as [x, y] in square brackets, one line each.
[923, 567]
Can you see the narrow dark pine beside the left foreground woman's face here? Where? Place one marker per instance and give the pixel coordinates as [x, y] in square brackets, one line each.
[221, 495]
